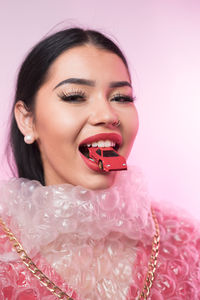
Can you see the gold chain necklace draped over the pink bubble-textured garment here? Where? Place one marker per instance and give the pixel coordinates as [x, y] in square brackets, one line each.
[55, 290]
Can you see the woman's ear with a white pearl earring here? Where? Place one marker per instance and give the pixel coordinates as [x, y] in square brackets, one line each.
[25, 121]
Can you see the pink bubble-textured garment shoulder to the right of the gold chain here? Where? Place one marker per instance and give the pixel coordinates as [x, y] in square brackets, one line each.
[178, 270]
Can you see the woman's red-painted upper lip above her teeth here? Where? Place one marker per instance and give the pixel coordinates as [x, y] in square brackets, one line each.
[115, 137]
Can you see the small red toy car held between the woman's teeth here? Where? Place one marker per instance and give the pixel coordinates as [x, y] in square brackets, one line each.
[107, 159]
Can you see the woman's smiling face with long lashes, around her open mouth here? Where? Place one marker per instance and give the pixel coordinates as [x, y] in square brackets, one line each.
[68, 111]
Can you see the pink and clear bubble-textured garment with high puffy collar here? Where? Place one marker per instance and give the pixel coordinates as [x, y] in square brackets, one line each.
[95, 244]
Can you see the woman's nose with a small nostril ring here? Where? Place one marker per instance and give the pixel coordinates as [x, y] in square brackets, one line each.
[103, 113]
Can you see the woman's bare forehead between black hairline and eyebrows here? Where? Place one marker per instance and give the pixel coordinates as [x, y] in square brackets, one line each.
[88, 62]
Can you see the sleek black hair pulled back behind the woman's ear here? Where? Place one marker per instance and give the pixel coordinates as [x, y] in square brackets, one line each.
[32, 75]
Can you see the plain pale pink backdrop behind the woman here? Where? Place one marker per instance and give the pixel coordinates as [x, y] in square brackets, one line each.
[161, 40]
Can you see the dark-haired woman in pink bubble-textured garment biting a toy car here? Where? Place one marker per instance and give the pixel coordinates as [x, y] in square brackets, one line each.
[91, 234]
